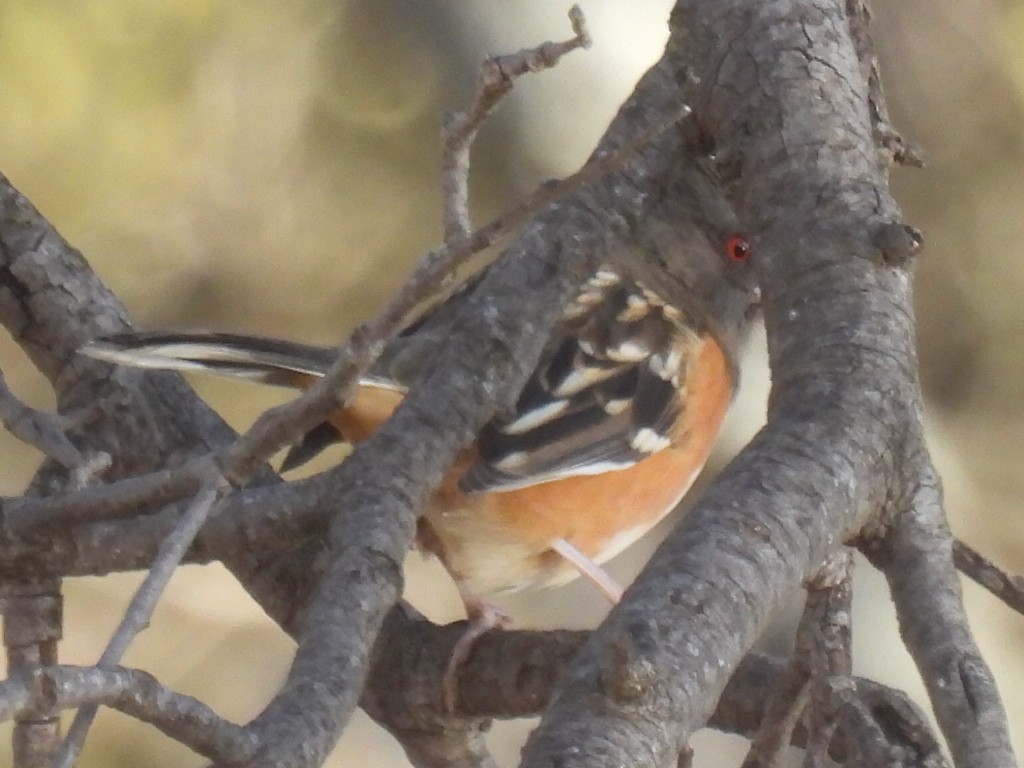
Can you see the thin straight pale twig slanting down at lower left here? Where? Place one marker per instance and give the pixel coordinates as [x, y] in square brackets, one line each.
[141, 610]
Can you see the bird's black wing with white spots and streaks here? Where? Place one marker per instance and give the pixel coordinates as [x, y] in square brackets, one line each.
[606, 396]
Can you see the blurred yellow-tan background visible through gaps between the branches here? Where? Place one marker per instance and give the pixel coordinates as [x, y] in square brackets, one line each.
[273, 168]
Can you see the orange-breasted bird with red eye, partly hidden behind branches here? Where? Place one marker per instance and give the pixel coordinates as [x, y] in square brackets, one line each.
[608, 436]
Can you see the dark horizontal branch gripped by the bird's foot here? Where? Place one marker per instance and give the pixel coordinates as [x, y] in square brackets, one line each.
[516, 674]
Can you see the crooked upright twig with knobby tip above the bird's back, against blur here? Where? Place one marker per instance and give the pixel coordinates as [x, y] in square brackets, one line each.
[495, 80]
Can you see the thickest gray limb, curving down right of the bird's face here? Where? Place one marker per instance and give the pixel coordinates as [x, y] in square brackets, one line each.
[839, 323]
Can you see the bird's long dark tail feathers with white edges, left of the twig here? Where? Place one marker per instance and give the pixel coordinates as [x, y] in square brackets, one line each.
[250, 358]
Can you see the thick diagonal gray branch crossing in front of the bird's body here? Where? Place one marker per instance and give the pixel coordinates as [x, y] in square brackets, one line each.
[488, 354]
